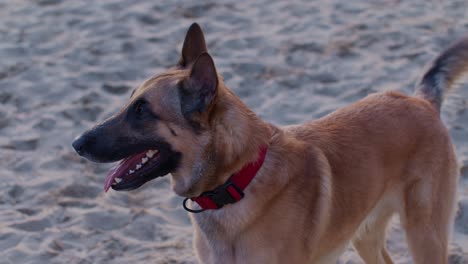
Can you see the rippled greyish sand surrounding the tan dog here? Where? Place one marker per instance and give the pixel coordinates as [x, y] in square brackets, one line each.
[67, 64]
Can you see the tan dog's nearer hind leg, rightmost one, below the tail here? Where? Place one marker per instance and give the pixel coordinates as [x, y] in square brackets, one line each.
[428, 216]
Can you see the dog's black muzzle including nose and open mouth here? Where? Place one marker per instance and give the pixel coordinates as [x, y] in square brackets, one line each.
[126, 137]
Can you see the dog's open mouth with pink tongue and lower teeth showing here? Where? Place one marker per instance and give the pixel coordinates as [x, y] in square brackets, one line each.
[135, 170]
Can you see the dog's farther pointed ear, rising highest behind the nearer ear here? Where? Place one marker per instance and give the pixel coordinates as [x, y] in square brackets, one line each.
[194, 45]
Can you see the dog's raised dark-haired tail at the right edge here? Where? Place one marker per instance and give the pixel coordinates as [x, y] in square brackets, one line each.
[445, 70]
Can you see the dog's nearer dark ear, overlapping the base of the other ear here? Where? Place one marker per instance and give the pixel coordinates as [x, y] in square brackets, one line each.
[201, 88]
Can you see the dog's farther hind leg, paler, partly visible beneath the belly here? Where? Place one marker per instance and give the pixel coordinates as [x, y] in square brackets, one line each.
[369, 241]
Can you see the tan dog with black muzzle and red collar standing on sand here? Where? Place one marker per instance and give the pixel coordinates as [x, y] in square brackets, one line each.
[260, 193]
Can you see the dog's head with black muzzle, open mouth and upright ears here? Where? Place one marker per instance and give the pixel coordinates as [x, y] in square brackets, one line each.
[166, 126]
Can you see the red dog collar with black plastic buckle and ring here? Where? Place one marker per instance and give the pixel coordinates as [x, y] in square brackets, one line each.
[232, 190]
